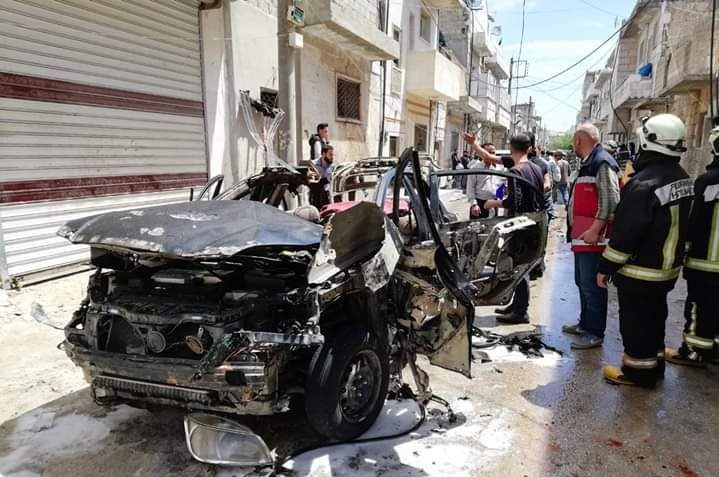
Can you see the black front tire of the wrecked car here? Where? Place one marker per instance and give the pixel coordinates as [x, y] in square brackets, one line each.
[347, 384]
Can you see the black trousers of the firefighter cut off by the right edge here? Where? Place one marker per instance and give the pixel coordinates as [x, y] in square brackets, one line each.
[701, 312]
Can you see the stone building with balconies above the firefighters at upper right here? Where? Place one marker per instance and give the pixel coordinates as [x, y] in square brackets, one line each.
[660, 64]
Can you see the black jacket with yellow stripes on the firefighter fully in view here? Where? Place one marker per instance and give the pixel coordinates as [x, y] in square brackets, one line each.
[650, 224]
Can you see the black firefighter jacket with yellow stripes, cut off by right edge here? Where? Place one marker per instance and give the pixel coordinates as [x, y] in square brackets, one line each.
[702, 262]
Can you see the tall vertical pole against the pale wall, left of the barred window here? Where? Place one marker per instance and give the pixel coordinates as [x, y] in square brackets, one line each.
[287, 59]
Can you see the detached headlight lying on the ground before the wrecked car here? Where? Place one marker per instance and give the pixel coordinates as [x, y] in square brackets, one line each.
[215, 440]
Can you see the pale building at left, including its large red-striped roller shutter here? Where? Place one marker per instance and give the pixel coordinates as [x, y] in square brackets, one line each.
[112, 105]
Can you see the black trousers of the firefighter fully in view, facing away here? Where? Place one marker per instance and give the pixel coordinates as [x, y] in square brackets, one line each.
[643, 313]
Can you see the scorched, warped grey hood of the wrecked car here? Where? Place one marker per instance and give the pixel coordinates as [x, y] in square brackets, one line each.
[200, 230]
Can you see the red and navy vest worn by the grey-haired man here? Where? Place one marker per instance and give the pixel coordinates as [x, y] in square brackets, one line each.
[584, 202]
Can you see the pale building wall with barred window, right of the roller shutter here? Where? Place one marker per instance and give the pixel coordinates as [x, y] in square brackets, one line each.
[337, 76]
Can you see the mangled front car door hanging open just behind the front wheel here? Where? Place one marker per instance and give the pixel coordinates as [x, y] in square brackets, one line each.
[431, 292]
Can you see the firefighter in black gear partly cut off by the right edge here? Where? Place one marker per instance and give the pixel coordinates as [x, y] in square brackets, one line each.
[701, 269]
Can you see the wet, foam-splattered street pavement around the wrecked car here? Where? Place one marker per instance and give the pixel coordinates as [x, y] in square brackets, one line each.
[551, 416]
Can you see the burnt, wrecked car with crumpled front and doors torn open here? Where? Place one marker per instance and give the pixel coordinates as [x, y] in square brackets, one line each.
[234, 305]
